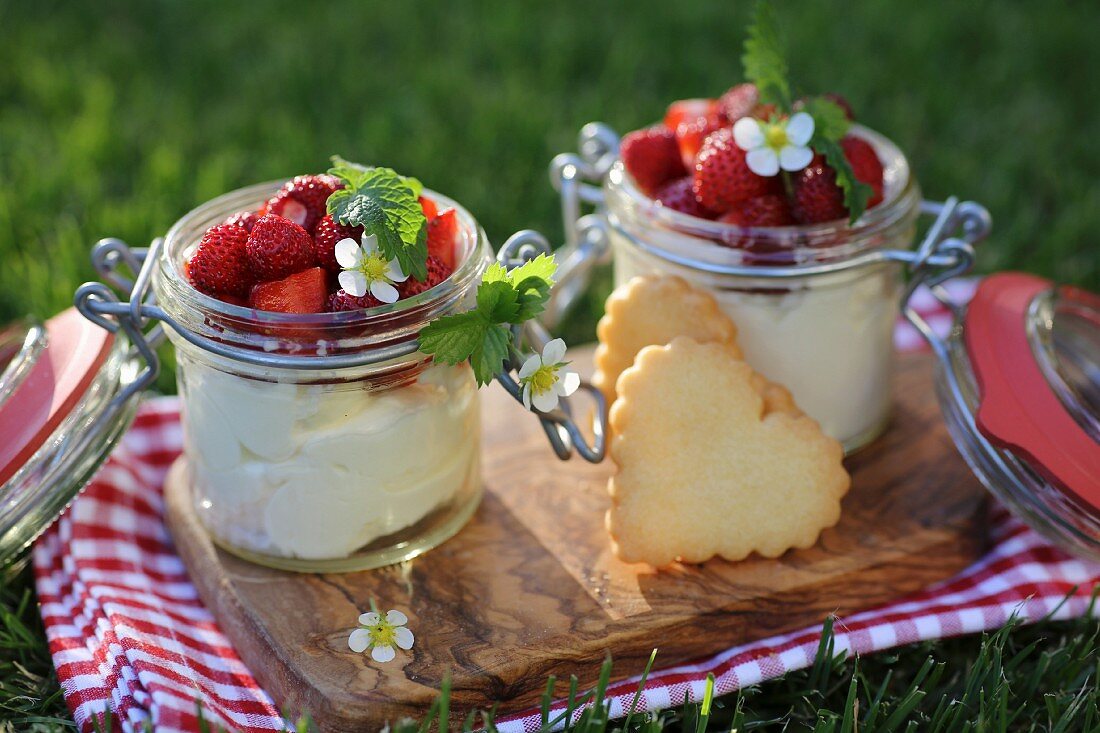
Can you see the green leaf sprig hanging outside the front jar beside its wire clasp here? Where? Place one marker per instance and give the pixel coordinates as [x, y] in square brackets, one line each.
[482, 335]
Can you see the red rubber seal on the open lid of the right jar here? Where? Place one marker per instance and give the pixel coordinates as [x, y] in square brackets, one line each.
[1019, 410]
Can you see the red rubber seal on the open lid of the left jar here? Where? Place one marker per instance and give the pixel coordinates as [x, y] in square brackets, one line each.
[75, 352]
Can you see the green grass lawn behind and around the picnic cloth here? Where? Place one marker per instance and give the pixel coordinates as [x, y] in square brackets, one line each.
[116, 118]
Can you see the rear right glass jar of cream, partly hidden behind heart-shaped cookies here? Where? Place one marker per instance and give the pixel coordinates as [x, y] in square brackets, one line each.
[827, 335]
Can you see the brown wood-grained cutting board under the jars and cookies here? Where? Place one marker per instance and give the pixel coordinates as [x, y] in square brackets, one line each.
[530, 587]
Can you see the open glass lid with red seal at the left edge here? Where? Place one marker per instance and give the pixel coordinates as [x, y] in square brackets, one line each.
[59, 419]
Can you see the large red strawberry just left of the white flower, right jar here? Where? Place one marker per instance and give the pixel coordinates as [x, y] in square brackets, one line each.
[723, 178]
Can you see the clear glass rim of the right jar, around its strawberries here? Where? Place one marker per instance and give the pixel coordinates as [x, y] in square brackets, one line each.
[804, 244]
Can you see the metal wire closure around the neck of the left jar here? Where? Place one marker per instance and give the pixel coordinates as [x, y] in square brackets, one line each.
[142, 321]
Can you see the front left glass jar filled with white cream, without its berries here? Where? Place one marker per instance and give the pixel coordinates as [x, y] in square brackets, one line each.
[320, 443]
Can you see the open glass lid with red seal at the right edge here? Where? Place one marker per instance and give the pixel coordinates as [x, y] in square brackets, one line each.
[1019, 384]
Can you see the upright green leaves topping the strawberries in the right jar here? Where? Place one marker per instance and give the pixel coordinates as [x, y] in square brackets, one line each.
[766, 67]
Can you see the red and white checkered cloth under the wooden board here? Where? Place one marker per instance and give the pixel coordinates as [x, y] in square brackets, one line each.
[131, 639]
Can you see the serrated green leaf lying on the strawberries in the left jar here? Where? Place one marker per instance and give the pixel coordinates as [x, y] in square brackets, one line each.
[387, 205]
